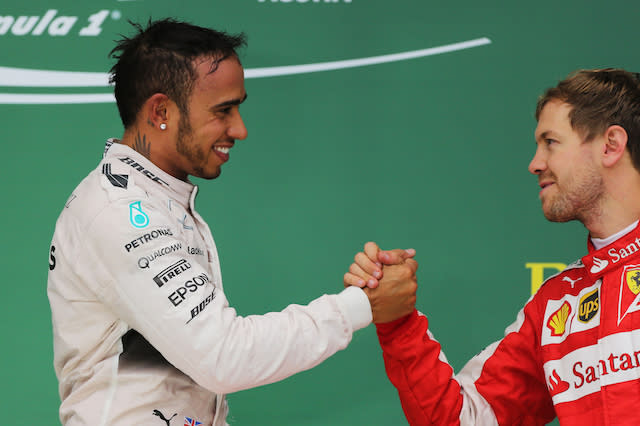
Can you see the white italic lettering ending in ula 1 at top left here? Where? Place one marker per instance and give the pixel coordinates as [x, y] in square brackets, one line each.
[54, 25]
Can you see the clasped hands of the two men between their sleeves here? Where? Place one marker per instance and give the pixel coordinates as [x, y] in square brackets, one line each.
[389, 280]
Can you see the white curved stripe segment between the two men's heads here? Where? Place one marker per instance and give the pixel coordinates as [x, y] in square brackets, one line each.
[351, 63]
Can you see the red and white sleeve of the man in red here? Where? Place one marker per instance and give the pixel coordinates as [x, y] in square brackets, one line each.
[504, 384]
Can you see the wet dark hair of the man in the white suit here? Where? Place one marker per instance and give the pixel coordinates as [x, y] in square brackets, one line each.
[160, 59]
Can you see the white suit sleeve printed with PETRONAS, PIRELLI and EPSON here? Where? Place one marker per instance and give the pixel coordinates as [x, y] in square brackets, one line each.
[176, 302]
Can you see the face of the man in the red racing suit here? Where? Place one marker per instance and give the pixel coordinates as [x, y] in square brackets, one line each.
[571, 182]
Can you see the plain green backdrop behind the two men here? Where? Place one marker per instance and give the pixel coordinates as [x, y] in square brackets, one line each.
[430, 153]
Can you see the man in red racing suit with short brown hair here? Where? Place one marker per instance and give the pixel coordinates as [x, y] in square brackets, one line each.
[574, 350]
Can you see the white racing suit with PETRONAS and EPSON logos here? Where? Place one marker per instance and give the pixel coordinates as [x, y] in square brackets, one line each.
[143, 333]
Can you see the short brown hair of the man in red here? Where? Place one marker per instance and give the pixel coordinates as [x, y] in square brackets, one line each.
[599, 99]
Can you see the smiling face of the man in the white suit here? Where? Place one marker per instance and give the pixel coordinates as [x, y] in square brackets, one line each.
[208, 130]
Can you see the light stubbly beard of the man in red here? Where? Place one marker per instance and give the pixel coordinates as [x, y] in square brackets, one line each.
[577, 199]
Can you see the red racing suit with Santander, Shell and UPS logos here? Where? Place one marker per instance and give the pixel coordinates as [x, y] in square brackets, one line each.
[573, 352]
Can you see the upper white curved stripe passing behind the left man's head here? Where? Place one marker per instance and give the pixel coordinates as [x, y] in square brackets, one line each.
[24, 77]
